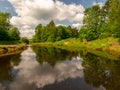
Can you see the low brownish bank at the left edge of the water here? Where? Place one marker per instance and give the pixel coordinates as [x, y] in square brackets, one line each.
[6, 49]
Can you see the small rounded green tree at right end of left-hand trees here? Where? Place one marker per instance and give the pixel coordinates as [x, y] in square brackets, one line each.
[14, 33]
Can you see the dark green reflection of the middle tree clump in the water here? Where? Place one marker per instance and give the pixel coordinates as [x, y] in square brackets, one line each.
[52, 55]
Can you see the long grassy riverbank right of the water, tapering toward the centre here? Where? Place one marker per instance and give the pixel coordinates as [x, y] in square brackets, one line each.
[108, 47]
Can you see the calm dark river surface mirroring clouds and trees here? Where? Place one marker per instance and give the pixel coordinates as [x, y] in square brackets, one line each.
[49, 68]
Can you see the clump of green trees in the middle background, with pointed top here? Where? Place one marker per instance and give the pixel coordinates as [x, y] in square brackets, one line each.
[52, 33]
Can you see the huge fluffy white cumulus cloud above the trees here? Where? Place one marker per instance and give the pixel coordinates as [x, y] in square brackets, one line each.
[32, 12]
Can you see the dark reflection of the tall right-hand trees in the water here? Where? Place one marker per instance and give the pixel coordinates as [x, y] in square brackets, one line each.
[100, 71]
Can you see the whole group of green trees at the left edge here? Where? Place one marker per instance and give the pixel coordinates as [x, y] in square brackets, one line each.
[7, 31]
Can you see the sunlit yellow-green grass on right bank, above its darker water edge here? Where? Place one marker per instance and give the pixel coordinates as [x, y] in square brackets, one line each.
[107, 44]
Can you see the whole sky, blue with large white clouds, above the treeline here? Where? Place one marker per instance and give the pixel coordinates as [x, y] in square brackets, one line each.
[27, 14]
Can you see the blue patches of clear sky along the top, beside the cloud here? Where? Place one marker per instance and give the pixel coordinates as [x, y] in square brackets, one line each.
[5, 5]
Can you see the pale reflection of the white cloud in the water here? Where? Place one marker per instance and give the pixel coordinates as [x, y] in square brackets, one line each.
[33, 75]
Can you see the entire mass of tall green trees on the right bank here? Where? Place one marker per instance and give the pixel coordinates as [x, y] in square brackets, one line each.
[101, 22]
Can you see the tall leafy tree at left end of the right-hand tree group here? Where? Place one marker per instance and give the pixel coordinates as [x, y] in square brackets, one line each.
[91, 23]
